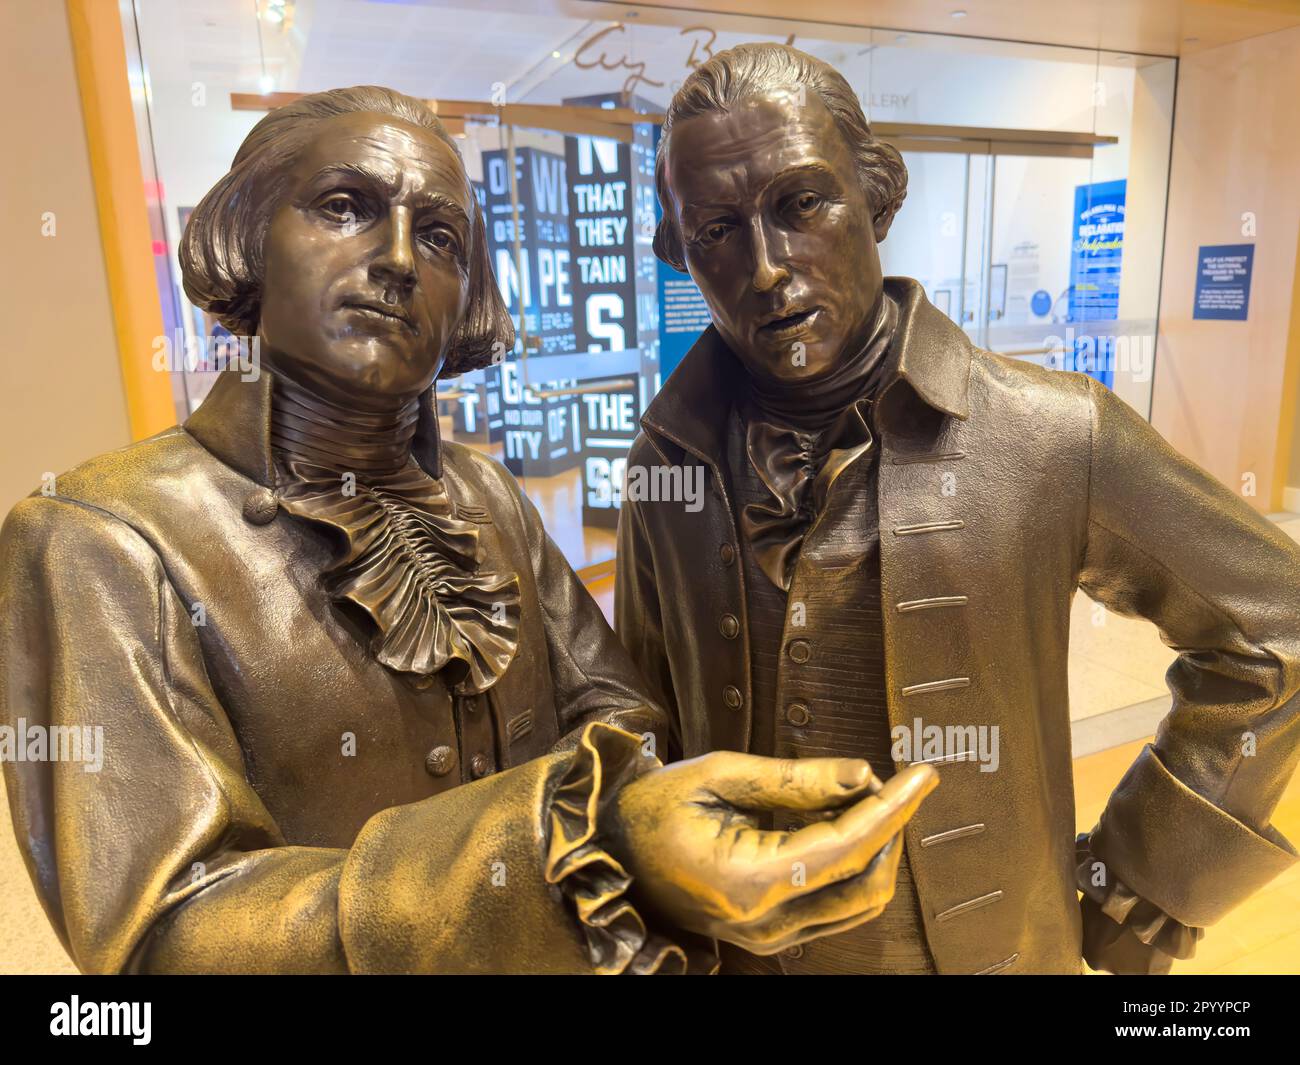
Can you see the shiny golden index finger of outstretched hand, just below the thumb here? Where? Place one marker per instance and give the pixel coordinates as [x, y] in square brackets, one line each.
[787, 865]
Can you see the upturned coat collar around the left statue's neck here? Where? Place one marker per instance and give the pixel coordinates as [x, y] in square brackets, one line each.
[235, 425]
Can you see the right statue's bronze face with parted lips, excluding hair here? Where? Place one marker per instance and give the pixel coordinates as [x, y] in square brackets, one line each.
[778, 233]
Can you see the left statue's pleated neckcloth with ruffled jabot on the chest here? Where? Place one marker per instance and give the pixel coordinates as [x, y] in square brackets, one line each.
[409, 562]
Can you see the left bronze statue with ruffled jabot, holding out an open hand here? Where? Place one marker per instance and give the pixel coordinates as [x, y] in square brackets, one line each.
[358, 713]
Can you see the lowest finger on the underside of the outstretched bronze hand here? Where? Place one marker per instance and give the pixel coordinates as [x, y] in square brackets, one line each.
[835, 908]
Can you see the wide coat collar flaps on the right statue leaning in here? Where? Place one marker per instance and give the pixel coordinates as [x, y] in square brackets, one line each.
[929, 361]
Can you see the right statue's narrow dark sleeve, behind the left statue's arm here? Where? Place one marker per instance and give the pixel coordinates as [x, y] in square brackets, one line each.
[639, 617]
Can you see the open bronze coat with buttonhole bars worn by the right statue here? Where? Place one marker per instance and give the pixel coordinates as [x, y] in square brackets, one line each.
[1059, 486]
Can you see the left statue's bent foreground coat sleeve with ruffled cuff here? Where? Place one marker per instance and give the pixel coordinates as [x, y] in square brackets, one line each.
[158, 855]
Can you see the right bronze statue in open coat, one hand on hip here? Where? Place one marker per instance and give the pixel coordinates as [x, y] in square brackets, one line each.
[899, 526]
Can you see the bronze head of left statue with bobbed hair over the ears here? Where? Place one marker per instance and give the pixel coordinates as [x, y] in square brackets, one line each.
[348, 237]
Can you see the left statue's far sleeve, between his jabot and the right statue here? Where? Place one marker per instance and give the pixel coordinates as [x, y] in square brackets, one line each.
[592, 674]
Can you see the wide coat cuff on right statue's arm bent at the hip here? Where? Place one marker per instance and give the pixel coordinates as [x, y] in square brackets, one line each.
[1181, 852]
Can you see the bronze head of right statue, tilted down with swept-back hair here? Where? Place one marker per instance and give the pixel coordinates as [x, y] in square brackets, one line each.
[775, 196]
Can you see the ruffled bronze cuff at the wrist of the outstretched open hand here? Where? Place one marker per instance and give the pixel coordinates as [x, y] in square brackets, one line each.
[618, 940]
